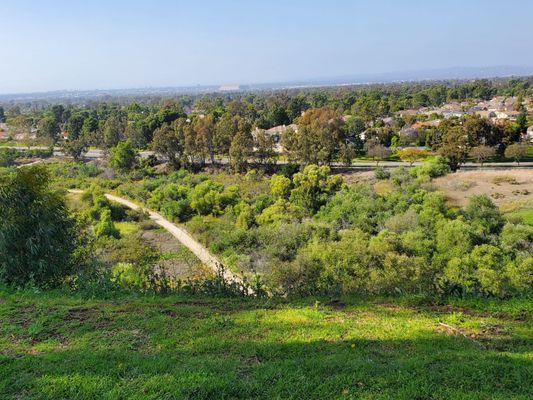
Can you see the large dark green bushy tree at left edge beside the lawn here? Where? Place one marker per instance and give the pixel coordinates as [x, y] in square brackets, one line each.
[40, 243]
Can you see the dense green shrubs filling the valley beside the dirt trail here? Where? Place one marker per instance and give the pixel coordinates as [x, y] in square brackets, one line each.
[308, 233]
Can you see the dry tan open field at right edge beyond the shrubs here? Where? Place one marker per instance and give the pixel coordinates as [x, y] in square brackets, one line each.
[502, 186]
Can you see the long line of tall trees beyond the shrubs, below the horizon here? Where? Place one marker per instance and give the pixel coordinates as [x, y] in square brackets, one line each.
[332, 124]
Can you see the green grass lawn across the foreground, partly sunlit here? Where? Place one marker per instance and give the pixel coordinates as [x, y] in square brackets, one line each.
[57, 347]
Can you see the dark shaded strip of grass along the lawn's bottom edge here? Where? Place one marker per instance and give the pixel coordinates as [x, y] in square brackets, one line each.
[440, 367]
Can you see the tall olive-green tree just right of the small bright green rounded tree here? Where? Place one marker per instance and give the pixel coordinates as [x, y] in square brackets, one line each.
[169, 141]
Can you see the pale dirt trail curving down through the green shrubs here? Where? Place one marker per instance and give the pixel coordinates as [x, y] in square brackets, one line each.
[203, 254]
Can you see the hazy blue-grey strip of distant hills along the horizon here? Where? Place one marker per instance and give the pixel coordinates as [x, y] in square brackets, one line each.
[454, 73]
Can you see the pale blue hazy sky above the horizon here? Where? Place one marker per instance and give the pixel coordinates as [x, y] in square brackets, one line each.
[112, 44]
